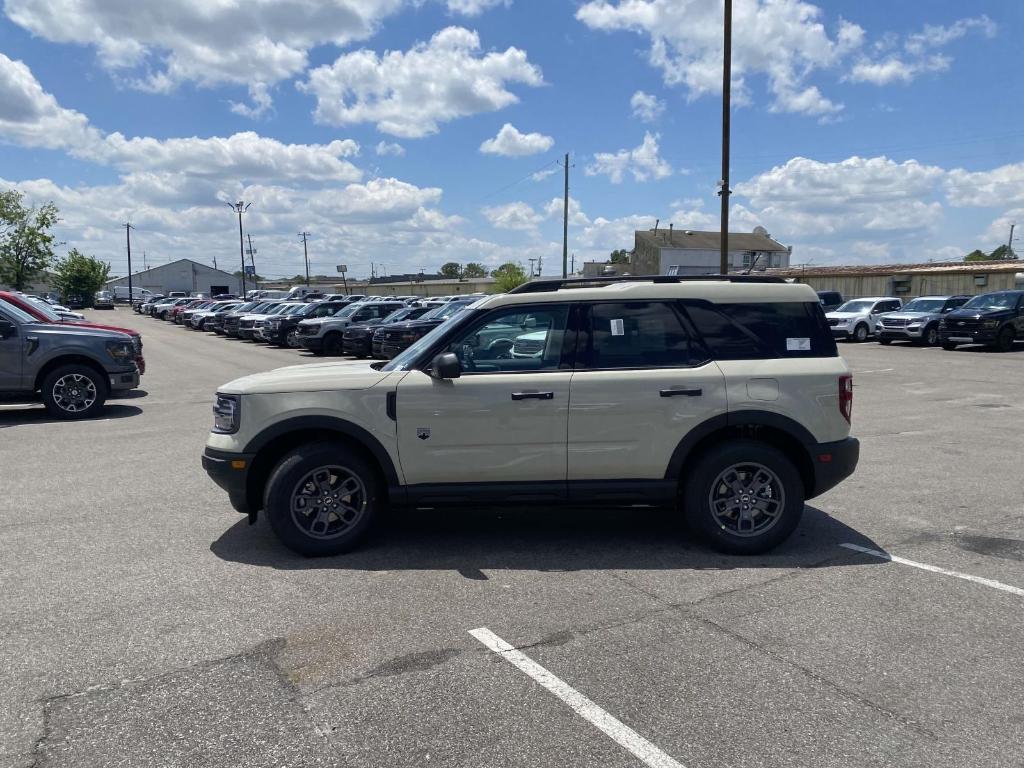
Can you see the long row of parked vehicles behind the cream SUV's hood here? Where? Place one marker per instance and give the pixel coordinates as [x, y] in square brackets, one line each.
[357, 326]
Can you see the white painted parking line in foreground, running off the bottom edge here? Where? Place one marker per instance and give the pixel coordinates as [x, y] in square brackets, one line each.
[583, 707]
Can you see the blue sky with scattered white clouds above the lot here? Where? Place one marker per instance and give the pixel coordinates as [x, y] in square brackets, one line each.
[863, 133]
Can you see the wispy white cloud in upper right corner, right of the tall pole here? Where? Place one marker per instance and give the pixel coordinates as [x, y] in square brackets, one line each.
[889, 66]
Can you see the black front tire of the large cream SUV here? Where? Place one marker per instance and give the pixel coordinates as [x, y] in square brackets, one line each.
[290, 482]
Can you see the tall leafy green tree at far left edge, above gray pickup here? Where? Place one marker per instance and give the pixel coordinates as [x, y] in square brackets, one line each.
[26, 241]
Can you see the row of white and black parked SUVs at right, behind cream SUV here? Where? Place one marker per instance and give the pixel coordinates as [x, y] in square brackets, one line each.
[996, 320]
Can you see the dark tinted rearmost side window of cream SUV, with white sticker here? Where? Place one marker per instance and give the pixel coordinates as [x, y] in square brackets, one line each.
[766, 331]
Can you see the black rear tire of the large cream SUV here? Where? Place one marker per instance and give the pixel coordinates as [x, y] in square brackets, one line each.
[705, 482]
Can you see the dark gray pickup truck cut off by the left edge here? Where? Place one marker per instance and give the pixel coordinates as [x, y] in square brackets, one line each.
[72, 369]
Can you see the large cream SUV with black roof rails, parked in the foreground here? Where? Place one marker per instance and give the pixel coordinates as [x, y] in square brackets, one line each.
[724, 397]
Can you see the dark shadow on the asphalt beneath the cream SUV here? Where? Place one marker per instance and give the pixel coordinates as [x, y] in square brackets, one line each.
[547, 540]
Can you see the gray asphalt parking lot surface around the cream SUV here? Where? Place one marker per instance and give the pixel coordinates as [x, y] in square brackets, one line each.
[144, 623]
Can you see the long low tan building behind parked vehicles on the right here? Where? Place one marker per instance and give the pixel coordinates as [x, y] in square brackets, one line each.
[908, 281]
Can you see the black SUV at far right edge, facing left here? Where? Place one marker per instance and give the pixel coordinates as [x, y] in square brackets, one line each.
[993, 319]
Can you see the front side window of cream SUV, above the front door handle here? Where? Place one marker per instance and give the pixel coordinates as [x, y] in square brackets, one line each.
[517, 339]
